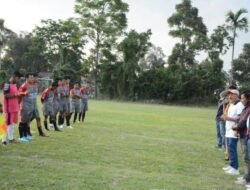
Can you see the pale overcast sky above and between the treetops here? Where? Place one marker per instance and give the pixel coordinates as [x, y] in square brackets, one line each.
[24, 15]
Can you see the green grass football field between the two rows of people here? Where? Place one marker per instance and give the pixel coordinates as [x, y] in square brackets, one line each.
[122, 146]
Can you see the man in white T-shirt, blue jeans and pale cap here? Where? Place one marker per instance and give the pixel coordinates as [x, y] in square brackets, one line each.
[231, 118]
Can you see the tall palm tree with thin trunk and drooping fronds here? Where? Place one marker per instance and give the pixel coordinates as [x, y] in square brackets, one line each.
[236, 22]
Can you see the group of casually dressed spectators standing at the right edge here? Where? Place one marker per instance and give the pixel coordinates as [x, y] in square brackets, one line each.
[232, 124]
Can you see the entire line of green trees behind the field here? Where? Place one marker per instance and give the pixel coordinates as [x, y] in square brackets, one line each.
[125, 64]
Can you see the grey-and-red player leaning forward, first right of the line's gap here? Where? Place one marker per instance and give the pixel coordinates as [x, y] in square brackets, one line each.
[49, 105]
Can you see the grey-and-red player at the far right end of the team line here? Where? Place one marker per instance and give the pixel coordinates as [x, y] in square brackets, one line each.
[85, 92]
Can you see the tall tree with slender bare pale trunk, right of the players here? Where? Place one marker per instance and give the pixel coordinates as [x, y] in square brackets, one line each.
[104, 22]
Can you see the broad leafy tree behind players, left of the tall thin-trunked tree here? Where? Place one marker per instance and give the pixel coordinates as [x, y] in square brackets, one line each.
[64, 42]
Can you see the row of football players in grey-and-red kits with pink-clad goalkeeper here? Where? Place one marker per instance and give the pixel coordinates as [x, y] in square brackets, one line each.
[58, 101]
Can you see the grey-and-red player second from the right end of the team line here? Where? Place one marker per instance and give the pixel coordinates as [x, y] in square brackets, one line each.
[75, 100]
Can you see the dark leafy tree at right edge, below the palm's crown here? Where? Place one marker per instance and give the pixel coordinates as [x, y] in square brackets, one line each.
[241, 67]
